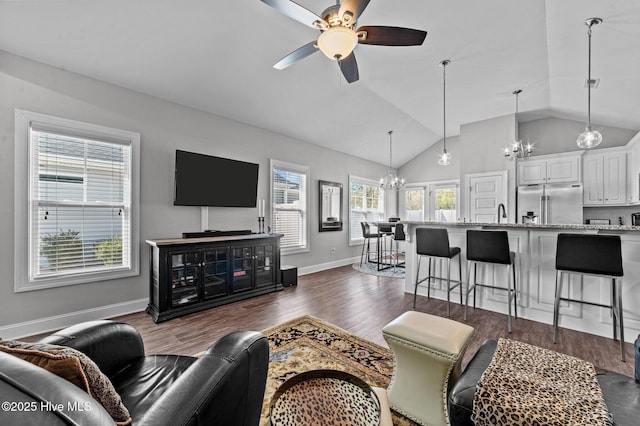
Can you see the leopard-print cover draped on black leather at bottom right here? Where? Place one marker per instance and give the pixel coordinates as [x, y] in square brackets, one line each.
[528, 385]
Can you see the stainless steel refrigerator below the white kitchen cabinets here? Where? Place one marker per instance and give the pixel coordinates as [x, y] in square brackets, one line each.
[550, 204]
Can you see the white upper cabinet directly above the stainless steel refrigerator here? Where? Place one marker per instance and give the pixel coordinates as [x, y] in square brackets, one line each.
[559, 168]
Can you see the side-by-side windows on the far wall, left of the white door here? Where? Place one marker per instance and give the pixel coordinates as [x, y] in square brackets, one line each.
[433, 202]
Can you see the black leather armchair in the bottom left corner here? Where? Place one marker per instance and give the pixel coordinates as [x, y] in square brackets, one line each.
[224, 386]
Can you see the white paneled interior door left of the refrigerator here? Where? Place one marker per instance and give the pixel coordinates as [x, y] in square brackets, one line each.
[485, 192]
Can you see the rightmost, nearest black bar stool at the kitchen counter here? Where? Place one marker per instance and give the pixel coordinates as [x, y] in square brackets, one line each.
[591, 255]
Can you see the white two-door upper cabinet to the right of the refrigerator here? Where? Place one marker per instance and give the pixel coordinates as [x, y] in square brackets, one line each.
[605, 178]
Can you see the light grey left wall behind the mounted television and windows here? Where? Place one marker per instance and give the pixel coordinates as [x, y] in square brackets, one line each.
[164, 127]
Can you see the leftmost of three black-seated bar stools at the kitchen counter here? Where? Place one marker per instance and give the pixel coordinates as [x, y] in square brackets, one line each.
[434, 243]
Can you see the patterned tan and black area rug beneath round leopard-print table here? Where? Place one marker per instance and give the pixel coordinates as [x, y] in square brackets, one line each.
[308, 343]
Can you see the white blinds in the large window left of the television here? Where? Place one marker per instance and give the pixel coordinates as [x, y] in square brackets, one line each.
[80, 204]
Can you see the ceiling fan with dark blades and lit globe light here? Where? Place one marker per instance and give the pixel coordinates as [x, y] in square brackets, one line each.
[337, 35]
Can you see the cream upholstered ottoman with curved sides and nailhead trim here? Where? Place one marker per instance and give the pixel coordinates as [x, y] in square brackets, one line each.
[427, 350]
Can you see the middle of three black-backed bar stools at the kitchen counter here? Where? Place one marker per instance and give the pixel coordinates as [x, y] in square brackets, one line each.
[490, 247]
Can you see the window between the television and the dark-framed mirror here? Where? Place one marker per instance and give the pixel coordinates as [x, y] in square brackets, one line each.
[289, 201]
